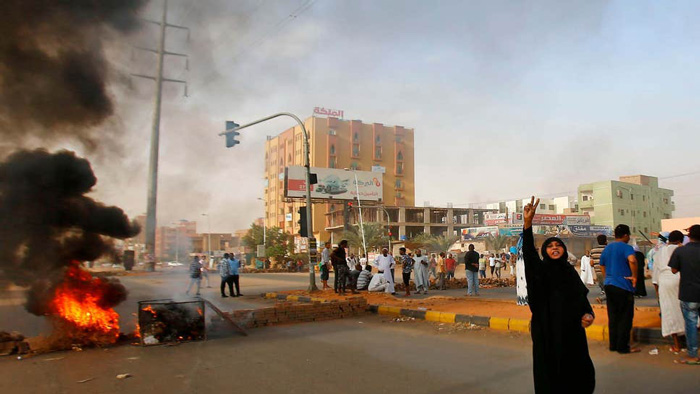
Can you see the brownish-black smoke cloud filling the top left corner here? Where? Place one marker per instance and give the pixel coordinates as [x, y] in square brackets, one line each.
[53, 72]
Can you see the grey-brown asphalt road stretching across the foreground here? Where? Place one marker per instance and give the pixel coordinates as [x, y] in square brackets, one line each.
[367, 354]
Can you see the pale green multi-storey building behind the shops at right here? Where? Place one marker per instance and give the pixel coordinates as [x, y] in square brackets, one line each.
[635, 200]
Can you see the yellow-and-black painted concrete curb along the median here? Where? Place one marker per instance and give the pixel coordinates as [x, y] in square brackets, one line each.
[595, 332]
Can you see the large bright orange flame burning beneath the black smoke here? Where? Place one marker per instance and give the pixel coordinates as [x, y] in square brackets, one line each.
[77, 301]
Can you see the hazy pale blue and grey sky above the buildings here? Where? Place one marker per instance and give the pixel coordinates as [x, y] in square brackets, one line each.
[507, 99]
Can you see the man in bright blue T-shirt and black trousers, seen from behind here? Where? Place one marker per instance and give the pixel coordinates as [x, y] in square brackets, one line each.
[619, 267]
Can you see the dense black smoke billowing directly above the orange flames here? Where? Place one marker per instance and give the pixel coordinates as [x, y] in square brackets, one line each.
[47, 223]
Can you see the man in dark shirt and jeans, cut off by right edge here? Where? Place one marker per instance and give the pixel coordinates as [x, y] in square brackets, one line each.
[686, 260]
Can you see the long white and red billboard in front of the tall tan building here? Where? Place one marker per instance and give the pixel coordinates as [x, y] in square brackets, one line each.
[334, 184]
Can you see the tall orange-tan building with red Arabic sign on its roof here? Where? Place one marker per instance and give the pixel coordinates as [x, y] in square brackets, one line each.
[337, 143]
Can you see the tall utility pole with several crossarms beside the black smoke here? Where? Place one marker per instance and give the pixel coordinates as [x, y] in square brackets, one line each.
[155, 133]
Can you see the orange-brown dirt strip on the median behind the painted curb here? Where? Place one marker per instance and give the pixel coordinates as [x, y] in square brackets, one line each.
[643, 316]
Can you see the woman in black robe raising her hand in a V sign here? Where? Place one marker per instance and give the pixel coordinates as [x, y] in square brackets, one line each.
[560, 313]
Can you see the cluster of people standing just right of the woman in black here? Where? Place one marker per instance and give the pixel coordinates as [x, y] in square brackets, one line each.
[618, 269]
